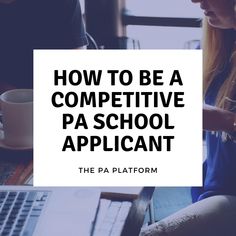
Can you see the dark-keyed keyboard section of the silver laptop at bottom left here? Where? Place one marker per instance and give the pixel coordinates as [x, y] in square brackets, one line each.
[20, 211]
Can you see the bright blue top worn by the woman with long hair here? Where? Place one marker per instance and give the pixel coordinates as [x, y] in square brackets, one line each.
[221, 151]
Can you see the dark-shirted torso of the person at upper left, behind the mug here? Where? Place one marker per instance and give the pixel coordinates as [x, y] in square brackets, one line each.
[26, 25]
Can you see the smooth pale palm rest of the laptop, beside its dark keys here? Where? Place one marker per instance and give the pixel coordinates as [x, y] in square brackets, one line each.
[69, 212]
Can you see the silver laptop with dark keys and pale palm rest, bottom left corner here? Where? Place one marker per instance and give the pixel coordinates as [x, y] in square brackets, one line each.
[27, 211]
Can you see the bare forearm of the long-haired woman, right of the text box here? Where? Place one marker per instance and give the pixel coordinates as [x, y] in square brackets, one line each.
[216, 119]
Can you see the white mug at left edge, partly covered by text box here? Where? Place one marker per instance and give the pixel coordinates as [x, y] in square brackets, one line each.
[17, 117]
